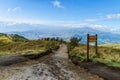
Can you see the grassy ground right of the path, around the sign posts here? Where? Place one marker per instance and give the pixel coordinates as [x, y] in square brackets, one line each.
[107, 55]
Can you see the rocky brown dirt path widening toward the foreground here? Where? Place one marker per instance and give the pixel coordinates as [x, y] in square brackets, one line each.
[55, 66]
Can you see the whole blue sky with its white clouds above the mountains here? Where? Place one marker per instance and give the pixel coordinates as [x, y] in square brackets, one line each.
[98, 14]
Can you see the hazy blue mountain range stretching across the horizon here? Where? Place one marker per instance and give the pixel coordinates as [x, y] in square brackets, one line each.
[103, 37]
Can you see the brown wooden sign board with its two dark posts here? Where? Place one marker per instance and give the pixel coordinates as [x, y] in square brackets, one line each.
[91, 39]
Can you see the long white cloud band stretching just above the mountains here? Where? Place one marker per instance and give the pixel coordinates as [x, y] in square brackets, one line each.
[68, 24]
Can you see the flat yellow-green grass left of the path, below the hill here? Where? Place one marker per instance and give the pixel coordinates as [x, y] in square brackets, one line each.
[29, 47]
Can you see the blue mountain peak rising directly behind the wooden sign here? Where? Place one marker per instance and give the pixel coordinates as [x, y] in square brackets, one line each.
[103, 37]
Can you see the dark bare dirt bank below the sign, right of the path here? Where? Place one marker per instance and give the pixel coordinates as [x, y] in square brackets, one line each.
[107, 72]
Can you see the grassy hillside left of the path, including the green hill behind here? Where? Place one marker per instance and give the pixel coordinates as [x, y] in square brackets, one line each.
[15, 44]
